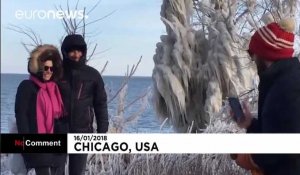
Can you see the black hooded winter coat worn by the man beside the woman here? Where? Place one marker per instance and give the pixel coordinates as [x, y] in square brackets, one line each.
[82, 90]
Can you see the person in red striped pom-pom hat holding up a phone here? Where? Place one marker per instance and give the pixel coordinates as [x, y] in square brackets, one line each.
[272, 49]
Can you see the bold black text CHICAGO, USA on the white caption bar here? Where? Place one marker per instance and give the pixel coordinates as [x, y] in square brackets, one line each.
[115, 146]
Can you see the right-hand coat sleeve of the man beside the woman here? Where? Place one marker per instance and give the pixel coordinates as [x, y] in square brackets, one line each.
[100, 105]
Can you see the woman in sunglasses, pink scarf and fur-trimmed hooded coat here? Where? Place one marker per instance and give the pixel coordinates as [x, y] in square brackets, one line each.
[39, 105]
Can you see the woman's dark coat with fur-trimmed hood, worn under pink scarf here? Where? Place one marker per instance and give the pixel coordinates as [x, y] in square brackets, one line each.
[25, 111]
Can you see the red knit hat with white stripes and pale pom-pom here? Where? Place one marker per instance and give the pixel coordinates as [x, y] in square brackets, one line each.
[274, 41]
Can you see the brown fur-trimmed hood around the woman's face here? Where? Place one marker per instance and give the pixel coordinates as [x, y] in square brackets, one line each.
[42, 53]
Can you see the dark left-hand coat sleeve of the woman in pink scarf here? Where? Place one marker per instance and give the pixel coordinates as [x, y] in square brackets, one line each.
[23, 99]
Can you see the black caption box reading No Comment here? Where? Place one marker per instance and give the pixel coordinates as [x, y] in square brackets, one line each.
[33, 143]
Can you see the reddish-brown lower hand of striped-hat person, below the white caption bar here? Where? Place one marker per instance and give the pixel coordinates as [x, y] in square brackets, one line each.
[245, 161]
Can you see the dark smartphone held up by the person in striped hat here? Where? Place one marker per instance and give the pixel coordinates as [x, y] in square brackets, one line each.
[238, 114]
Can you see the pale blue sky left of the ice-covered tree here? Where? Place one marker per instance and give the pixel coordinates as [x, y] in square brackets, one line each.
[131, 31]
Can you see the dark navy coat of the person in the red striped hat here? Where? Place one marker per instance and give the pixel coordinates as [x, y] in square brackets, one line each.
[279, 112]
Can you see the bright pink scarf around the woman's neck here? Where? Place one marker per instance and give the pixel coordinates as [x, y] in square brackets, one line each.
[49, 105]
